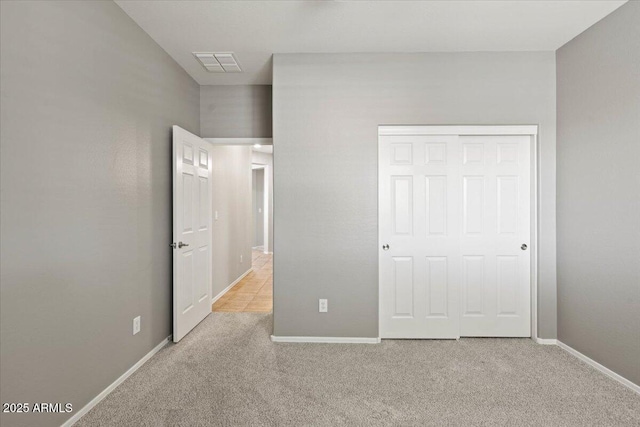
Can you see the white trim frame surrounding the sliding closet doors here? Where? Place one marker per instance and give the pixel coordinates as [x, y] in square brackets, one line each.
[479, 130]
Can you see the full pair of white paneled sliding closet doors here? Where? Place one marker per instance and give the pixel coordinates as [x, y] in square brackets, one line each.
[453, 214]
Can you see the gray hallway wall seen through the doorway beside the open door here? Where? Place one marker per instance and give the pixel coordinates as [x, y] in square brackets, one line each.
[233, 230]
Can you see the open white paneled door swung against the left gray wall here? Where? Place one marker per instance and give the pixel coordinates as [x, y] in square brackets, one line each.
[191, 231]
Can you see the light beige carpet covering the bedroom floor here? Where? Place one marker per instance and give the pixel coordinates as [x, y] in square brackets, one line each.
[227, 372]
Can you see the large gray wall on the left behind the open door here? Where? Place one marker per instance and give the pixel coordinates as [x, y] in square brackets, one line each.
[87, 105]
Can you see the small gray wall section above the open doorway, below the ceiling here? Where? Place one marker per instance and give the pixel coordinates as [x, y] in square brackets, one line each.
[235, 111]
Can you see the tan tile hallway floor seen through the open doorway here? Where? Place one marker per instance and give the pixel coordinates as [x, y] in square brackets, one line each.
[254, 293]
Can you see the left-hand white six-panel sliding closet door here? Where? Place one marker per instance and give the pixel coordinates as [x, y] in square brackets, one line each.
[419, 188]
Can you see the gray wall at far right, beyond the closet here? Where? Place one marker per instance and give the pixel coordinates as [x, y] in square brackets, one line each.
[599, 192]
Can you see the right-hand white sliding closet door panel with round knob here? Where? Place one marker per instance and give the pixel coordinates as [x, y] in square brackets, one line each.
[496, 268]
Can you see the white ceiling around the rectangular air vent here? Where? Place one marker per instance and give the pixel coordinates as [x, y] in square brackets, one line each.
[254, 30]
